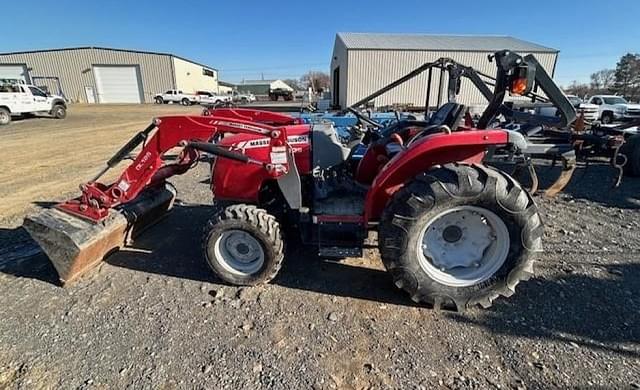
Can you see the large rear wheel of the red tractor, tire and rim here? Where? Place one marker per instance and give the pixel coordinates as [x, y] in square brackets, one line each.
[460, 235]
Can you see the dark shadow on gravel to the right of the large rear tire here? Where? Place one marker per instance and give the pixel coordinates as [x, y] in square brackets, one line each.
[581, 310]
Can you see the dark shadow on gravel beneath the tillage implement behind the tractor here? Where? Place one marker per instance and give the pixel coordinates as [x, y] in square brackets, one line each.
[594, 184]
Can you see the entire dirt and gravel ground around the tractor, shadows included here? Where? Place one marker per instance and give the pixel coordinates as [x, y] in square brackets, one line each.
[154, 316]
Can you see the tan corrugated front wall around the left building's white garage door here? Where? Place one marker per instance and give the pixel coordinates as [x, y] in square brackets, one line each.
[74, 68]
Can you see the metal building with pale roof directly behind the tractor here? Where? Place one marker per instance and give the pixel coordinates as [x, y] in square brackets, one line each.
[363, 63]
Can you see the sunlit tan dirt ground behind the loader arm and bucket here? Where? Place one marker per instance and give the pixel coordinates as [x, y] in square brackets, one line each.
[44, 158]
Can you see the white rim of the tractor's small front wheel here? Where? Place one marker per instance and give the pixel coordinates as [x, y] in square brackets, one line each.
[239, 252]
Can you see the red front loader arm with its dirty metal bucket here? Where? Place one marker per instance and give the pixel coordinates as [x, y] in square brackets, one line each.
[76, 235]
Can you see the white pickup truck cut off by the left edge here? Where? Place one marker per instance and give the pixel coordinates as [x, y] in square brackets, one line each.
[24, 99]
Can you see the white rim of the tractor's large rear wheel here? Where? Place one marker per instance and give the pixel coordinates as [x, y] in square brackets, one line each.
[463, 246]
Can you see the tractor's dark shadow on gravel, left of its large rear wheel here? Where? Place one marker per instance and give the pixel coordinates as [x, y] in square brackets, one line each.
[173, 248]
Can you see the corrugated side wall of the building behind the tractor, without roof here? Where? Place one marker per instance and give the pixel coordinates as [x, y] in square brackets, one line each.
[370, 70]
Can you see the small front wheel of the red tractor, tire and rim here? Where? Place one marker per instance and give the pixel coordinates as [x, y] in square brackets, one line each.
[243, 245]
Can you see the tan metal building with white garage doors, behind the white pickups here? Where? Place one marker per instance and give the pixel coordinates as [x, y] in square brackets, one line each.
[105, 75]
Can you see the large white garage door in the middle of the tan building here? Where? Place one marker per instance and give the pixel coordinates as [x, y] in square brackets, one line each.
[117, 84]
